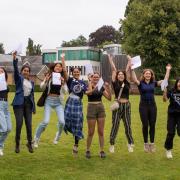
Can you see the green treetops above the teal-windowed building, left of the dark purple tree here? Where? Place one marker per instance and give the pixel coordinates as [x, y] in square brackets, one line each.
[79, 41]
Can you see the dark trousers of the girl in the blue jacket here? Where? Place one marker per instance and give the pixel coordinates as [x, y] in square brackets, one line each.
[23, 111]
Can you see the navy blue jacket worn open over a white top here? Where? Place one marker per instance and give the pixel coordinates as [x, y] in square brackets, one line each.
[19, 94]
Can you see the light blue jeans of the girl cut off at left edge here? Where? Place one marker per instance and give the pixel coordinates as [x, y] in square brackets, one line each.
[5, 122]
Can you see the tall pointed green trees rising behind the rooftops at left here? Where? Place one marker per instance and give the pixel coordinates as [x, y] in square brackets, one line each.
[33, 50]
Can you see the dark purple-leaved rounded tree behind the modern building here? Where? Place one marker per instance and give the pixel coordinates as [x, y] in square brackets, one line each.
[102, 35]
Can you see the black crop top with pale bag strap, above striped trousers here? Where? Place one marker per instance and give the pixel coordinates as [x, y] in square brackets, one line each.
[117, 85]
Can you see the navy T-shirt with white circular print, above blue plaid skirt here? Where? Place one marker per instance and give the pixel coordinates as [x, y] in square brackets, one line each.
[77, 87]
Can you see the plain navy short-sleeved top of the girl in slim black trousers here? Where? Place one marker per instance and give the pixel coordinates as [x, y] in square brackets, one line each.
[147, 91]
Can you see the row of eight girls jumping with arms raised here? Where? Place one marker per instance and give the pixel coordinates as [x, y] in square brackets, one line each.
[70, 118]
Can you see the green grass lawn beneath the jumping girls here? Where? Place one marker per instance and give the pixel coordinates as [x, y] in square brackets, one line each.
[51, 161]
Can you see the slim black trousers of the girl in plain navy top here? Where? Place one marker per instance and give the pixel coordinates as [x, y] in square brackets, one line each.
[148, 114]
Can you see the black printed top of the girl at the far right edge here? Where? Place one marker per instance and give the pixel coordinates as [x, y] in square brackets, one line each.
[174, 99]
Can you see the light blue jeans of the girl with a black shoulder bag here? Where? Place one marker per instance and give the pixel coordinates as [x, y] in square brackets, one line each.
[51, 102]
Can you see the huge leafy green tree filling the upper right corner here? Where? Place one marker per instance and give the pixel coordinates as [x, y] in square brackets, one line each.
[152, 30]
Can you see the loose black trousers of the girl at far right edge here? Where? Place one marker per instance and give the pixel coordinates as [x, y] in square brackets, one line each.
[173, 123]
